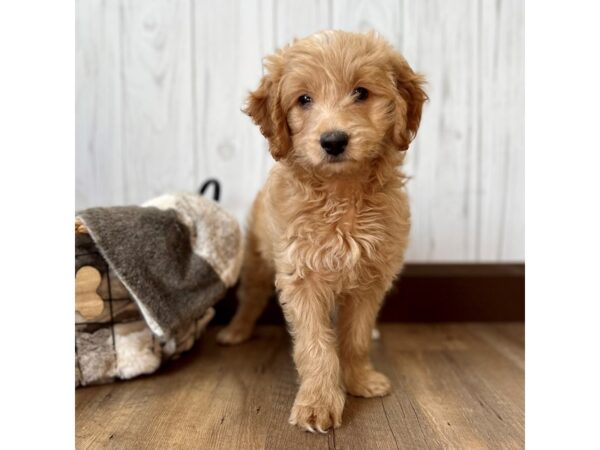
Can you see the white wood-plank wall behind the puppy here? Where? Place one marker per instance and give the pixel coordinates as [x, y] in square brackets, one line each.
[159, 86]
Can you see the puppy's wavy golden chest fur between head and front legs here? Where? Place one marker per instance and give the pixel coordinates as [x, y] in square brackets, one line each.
[353, 237]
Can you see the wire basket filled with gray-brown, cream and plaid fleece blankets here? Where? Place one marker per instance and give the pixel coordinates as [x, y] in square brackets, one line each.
[162, 265]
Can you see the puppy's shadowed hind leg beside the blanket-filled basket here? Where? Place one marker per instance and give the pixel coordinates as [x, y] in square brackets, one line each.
[256, 286]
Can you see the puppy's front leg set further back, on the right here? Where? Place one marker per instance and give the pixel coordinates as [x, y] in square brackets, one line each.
[356, 319]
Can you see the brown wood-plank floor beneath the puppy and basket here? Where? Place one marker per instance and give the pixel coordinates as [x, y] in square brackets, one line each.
[454, 386]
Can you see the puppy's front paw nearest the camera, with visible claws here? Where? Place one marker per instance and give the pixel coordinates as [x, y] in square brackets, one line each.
[320, 414]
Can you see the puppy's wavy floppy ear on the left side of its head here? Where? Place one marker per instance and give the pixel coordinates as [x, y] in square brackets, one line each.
[265, 109]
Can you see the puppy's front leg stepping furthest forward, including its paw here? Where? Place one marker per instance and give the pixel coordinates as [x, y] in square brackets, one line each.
[320, 399]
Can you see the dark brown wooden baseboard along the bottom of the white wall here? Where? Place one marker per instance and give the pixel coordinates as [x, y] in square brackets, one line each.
[436, 293]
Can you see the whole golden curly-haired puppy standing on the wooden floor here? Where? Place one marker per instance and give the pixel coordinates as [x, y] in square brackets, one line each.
[330, 227]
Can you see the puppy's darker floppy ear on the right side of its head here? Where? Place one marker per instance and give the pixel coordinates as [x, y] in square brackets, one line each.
[409, 103]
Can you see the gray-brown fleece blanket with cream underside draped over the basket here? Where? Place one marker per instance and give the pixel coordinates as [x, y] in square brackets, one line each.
[176, 254]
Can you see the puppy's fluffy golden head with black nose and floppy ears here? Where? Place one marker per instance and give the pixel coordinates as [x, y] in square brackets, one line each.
[336, 100]
